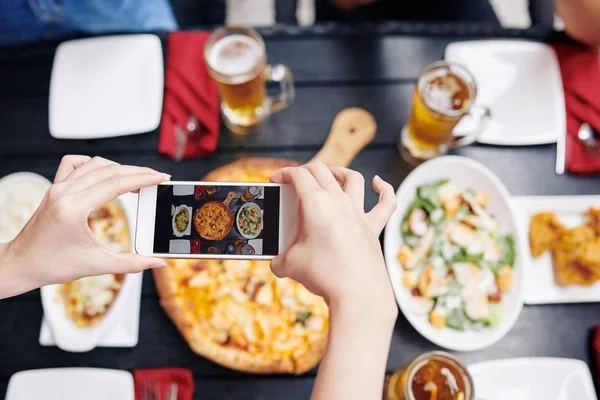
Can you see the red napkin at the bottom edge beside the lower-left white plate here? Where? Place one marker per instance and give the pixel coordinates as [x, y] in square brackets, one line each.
[163, 378]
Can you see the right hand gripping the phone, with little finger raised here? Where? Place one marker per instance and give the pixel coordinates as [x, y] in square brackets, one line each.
[336, 252]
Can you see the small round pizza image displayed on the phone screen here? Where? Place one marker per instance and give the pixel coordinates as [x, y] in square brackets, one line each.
[213, 220]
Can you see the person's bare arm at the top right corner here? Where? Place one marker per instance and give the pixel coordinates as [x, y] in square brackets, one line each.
[581, 19]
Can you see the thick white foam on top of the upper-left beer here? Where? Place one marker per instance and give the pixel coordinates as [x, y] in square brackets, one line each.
[234, 55]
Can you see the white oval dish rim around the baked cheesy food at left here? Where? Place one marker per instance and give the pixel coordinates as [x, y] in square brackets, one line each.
[66, 334]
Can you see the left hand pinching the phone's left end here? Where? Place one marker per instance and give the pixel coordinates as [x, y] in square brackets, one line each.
[57, 245]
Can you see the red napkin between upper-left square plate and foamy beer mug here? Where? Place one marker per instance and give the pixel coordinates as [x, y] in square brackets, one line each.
[189, 91]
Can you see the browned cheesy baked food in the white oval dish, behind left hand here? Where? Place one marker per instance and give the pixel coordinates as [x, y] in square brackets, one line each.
[87, 300]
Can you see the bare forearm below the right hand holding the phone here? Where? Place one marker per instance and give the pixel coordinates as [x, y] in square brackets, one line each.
[354, 364]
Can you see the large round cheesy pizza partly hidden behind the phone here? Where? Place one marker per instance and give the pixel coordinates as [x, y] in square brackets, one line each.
[238, 313]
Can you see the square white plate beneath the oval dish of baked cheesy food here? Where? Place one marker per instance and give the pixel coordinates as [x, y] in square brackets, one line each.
[124, 332]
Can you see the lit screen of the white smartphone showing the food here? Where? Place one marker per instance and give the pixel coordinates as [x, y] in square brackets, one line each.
[217, 219]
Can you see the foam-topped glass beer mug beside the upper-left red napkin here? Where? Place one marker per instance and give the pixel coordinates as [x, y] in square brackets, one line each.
[237, 60]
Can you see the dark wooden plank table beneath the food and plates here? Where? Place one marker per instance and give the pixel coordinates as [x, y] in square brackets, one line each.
[376, 69]
